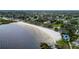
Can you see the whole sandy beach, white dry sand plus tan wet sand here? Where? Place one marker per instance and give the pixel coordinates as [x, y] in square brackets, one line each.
[47, 35]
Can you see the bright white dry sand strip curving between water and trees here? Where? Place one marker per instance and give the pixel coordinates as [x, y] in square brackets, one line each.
[53, 35]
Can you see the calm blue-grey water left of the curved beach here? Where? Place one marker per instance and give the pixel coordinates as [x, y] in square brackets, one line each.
[14, 36]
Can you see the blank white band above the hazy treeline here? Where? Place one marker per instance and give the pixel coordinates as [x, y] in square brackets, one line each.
[39, 5]
